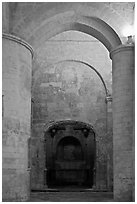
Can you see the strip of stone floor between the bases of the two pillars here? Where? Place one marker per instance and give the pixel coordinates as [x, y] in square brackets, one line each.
[71, 197]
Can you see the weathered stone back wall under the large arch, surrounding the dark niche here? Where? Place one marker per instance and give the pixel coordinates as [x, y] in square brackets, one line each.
[67, 89]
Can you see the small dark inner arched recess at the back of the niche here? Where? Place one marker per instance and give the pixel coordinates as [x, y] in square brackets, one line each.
[69, 162]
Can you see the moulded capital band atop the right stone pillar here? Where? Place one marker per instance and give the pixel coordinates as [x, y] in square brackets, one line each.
[121, 48]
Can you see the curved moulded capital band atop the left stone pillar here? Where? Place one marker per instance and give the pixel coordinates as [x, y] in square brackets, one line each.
[18, 40]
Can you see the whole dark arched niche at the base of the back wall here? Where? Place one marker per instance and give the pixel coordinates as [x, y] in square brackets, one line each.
[70, 155]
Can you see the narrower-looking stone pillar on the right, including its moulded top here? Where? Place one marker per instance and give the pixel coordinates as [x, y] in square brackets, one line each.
[123, 121]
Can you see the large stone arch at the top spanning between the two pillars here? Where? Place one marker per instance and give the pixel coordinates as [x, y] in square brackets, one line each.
[90, 25]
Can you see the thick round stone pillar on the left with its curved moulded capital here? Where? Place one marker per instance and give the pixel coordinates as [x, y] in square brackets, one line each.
[16, 85]
